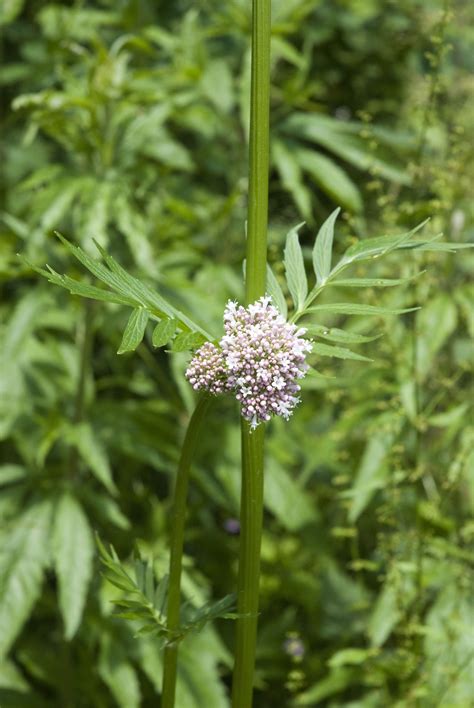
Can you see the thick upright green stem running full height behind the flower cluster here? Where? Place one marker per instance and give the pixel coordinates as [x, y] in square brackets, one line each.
[253, 441]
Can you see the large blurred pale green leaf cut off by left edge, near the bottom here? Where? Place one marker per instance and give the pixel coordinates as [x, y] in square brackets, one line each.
[23, 556]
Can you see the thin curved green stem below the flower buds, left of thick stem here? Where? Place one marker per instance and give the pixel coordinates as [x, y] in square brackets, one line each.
[176, 552]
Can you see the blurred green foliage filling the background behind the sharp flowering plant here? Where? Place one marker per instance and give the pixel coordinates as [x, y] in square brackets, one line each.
[126, 122]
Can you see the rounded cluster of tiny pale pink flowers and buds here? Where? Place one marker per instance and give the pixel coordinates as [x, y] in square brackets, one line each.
[259, 359]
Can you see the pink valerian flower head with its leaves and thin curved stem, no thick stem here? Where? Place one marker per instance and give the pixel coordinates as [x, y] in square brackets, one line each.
[259, 360]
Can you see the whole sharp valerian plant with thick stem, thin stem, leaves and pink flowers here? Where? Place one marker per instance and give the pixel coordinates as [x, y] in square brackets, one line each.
[258, 360]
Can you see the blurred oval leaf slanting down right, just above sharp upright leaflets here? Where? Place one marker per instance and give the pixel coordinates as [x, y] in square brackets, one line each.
[331, 178]
